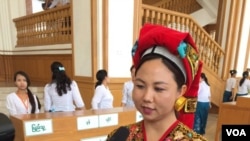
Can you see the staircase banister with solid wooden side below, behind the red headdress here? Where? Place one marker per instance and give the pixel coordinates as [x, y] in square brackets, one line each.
[210, 52]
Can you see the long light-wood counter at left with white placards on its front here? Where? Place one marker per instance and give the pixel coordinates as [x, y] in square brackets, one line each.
[65, 124]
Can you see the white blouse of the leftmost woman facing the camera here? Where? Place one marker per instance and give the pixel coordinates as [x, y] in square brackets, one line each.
[16, 106]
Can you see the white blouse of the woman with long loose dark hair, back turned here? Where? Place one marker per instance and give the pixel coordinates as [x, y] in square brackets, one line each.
[54, 102]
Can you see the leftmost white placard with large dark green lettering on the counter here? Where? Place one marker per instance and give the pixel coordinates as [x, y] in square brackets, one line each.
[38, 127]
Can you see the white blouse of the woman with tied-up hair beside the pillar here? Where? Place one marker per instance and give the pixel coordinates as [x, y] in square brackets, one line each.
[102, 98]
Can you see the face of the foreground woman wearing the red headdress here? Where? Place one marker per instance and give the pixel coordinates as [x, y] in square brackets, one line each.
[155, 90]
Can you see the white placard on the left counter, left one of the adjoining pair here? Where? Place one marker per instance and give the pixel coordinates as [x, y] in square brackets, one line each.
[87, 122]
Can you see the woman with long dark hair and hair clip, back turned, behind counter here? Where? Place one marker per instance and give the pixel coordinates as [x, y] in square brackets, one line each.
[62, 93]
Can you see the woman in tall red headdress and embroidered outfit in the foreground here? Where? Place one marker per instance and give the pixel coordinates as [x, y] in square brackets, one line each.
[166, 70]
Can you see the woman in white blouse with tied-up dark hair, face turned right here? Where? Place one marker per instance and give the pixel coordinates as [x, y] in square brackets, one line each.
[102, 99]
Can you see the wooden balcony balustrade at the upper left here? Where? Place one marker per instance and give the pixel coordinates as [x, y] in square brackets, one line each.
[52, 26]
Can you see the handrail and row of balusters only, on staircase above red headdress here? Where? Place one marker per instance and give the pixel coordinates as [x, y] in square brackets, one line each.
[209, 51]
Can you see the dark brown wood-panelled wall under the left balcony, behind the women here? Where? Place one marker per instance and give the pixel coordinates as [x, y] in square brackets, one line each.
[38, 66]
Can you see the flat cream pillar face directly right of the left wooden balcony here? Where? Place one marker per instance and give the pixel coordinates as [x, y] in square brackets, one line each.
[82, 37]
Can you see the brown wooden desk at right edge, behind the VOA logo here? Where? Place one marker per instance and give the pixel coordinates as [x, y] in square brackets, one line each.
[233, 113]
